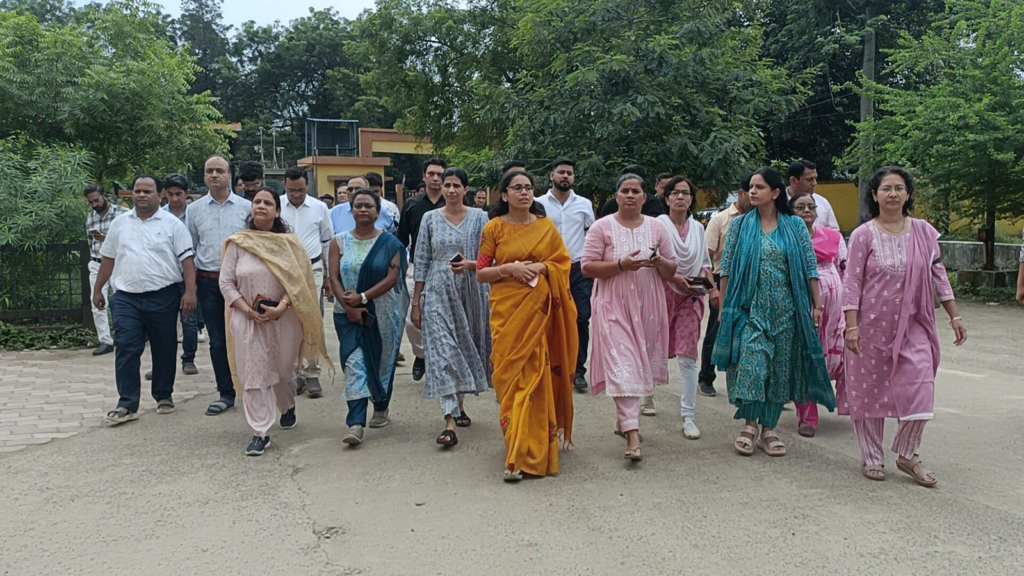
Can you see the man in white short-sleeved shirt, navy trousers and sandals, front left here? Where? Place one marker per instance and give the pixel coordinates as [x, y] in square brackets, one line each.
[150, 254]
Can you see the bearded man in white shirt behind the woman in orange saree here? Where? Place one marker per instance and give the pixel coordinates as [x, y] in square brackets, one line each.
[573, 216]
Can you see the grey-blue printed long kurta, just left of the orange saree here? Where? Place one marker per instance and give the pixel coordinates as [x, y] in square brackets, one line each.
[455, 308]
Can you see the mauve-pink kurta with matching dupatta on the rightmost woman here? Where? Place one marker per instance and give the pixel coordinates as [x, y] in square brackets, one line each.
[889, 281]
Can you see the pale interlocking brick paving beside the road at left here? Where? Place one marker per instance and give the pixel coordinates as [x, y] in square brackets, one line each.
[58, 394]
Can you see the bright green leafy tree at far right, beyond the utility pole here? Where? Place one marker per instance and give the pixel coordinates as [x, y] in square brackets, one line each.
[954, 109]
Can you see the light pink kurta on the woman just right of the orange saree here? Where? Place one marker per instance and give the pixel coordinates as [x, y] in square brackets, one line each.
[630, 322]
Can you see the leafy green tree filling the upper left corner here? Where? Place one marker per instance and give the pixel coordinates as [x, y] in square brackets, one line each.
[115, 88]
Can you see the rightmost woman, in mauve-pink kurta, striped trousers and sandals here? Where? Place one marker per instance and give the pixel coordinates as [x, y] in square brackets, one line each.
[891, 336]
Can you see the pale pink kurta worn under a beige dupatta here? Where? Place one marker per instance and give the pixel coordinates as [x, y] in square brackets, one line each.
[265, 354]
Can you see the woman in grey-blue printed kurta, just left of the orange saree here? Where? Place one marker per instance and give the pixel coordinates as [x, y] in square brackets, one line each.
[451, 307]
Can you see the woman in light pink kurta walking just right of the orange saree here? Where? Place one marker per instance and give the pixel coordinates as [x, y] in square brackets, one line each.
[629, 255]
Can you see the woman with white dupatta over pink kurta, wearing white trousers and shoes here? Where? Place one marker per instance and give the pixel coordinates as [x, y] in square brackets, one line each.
[687, 306]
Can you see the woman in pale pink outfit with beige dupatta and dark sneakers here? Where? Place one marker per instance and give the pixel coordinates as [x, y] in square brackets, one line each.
[274, 316]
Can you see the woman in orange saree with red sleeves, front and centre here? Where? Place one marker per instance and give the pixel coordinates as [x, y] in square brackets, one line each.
[533, 326]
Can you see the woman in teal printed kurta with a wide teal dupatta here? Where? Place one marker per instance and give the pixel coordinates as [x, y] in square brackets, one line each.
[767, 338]
